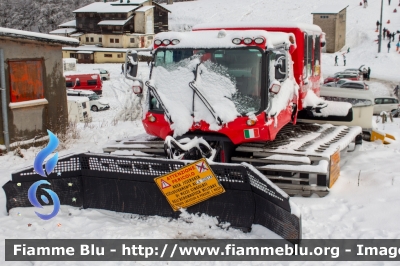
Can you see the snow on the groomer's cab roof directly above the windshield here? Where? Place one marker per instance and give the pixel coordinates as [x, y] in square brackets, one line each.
[210, 39]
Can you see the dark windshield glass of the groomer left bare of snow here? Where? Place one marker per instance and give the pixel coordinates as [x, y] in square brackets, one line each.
[241, 66]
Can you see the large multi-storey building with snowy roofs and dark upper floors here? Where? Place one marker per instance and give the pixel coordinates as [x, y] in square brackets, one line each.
[117, 24]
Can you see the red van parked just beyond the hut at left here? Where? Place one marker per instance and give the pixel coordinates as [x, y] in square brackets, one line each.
[84, 81]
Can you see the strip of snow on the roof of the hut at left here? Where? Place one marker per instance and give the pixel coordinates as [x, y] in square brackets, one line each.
[22, 34]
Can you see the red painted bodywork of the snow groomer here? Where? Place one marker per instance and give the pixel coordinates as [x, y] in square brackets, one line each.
[267, 129]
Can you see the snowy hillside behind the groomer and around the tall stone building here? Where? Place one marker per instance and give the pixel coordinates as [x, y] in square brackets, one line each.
[361, 25]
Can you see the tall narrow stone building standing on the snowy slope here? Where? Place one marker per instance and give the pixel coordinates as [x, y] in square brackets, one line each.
[332, 20]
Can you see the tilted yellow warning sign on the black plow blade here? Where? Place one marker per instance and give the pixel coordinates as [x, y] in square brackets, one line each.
[189, 185]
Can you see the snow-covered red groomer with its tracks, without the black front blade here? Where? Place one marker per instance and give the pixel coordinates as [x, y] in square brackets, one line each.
[233, 93]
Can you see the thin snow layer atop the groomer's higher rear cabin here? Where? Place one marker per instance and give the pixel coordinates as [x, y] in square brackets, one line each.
[257, 25]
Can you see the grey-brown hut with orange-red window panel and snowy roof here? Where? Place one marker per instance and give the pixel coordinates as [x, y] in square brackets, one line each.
[31, 72]
